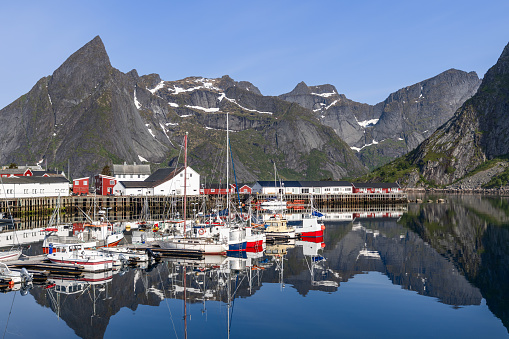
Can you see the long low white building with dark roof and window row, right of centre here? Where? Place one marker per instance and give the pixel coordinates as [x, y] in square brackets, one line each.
[303, 187]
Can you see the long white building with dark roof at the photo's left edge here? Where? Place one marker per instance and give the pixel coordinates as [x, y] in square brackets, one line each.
[29, 187]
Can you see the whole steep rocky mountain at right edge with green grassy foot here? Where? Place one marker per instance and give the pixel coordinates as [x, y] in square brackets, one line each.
[475, 139]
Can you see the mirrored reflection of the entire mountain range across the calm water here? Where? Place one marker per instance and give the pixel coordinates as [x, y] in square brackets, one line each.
[430, 250]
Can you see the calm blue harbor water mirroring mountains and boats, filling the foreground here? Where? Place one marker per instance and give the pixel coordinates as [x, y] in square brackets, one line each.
[438, 270]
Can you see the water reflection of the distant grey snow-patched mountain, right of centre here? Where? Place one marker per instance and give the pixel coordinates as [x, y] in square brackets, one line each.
[386, 247]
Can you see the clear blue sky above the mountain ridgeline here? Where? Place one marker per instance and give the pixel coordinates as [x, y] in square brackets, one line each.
[367, 49]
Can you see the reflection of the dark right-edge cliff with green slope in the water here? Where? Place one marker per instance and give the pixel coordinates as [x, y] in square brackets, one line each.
[472, 232]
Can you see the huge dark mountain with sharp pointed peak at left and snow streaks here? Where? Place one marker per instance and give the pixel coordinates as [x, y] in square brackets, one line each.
[88, 114]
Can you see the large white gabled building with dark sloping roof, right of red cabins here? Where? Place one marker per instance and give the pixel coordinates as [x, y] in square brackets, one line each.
[164, 181]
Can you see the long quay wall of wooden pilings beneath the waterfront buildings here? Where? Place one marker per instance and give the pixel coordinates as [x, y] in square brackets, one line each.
[133, 207]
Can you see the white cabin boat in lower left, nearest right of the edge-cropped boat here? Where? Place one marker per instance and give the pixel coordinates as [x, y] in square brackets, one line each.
[76, 254]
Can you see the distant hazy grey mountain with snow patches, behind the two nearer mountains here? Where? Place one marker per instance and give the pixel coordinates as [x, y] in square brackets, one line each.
[392, 128]
